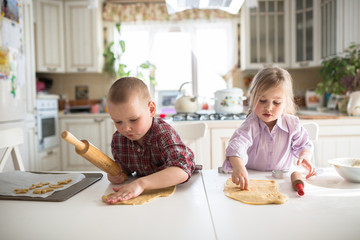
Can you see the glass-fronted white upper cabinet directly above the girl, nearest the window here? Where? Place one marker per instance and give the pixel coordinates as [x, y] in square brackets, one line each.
[265, 38]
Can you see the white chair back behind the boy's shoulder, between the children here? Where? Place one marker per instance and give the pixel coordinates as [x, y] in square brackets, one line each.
[191, 134]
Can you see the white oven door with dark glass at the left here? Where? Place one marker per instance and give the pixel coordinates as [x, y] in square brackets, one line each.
[47, 129]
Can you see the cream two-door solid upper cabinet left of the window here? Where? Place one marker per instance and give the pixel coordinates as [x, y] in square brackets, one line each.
[69, 36]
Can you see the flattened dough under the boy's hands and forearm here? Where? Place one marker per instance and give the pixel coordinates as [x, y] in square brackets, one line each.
[146, 196]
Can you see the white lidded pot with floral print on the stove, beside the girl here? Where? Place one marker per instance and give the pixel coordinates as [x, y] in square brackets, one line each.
[229, 101]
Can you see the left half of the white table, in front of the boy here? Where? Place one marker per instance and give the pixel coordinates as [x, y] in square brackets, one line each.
[185, 215]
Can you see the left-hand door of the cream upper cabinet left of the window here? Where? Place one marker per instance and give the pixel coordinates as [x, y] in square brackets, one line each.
[50, 36]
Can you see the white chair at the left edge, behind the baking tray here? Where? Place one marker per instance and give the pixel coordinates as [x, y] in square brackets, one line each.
[10, 139]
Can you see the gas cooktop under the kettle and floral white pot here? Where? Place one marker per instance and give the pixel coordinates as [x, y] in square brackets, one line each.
[207, 116]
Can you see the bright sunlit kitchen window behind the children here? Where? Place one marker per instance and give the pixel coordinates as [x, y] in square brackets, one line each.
[197, 52]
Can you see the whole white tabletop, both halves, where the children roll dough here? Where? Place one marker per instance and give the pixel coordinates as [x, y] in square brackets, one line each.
[198, 209]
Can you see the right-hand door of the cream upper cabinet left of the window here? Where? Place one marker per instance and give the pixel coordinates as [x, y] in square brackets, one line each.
[83, 37]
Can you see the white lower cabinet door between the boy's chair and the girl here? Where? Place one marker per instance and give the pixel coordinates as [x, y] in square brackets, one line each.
[219, 141]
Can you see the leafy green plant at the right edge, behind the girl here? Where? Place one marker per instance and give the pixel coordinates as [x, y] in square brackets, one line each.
[339, 75]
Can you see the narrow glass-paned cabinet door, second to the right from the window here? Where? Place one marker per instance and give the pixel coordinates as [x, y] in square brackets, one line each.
[305, 32]
